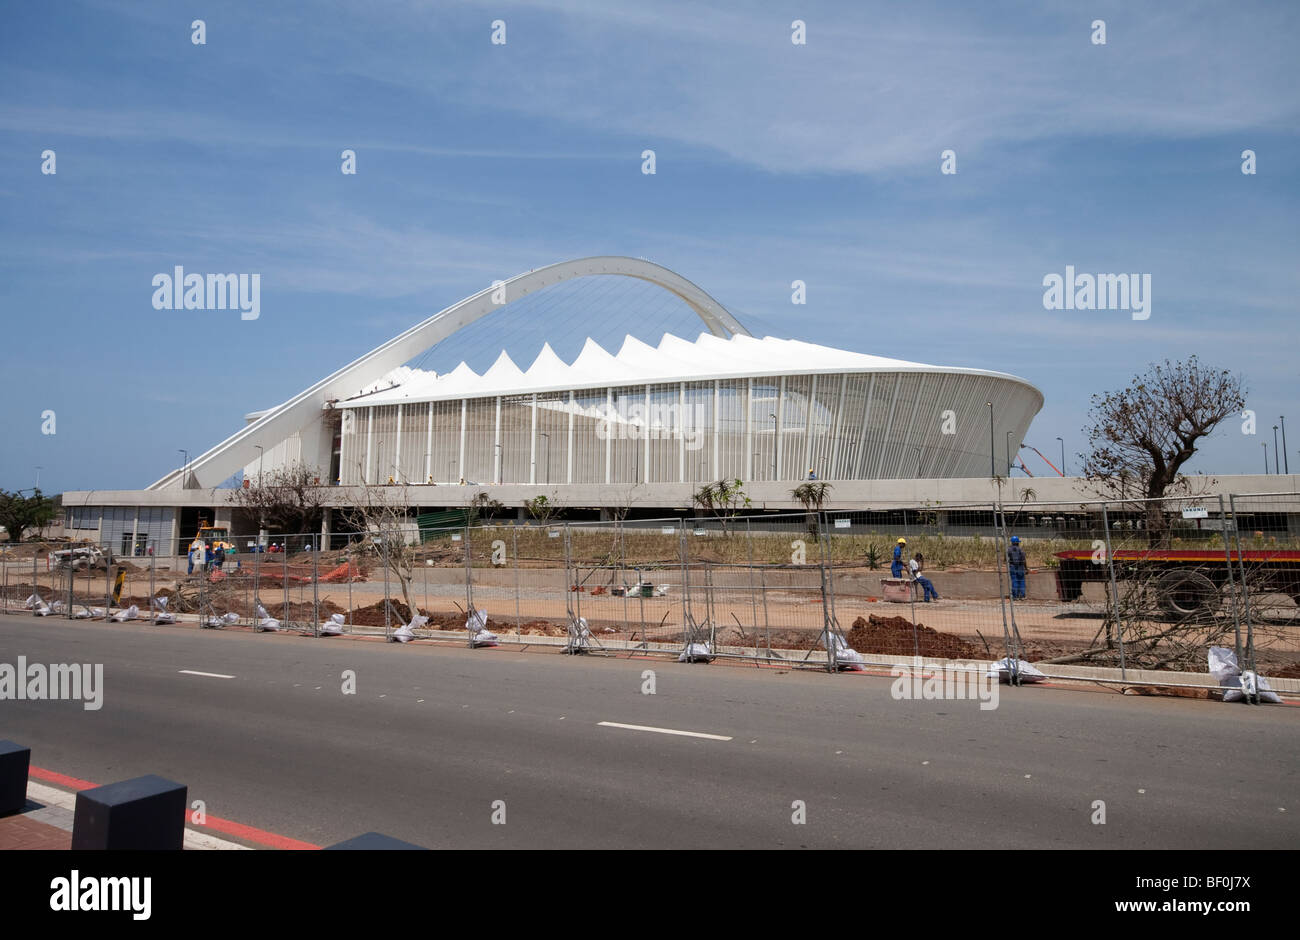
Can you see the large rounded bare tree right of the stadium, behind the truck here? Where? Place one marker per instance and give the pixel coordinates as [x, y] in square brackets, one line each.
[1141, 437]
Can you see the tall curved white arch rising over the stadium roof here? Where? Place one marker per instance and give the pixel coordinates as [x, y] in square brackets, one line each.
[297, 414]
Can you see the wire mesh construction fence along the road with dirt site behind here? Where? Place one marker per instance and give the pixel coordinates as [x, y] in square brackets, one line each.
[1128, 584]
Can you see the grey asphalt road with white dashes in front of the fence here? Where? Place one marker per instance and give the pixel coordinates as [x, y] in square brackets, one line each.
[435, 735]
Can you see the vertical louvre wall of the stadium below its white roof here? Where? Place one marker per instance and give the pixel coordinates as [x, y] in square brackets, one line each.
[842, 426]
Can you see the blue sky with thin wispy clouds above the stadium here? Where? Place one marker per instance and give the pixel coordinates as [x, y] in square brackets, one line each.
[775, 163]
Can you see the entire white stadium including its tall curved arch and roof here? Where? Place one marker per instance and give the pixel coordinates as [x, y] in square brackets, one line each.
[725, 405]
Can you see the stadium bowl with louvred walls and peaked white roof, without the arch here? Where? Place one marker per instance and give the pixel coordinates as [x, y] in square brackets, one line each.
[683, 411]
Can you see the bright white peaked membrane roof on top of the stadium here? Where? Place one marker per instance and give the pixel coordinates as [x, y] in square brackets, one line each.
[636, 363]
